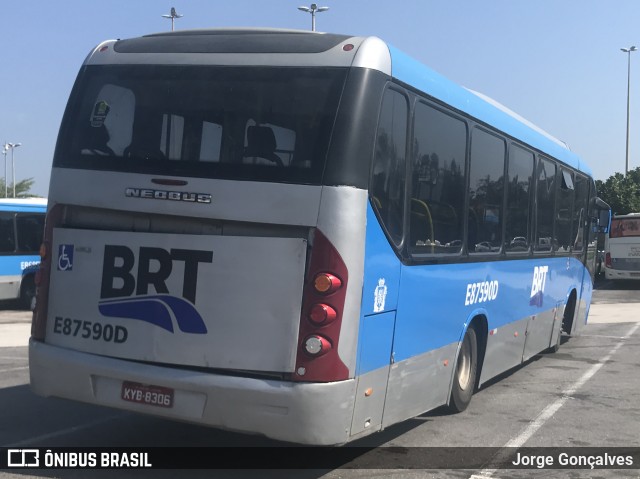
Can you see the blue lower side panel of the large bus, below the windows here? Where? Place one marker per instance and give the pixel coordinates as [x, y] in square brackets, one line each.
[429, 300]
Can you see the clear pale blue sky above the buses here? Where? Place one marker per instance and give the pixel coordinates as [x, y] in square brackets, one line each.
[556, 63]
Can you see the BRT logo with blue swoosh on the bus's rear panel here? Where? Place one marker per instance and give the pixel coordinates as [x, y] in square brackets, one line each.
[131, 291]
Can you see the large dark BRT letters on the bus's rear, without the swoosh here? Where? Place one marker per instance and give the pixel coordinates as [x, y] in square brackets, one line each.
[119, 260]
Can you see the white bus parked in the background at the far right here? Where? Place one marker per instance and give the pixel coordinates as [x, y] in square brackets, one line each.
[622, 248]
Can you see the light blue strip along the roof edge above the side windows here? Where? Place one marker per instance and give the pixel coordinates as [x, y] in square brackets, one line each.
[414, 73]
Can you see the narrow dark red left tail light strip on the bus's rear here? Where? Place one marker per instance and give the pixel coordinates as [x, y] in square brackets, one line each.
[39, 322]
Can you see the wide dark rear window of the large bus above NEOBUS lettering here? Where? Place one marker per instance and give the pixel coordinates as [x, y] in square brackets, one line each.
[242, 123]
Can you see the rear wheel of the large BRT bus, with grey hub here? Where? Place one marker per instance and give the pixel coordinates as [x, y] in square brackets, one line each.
[464, 381]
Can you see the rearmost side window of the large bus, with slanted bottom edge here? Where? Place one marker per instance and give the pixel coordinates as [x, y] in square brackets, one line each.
[389, 166]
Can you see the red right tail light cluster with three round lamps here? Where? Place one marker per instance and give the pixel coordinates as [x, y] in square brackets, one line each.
[323, 298]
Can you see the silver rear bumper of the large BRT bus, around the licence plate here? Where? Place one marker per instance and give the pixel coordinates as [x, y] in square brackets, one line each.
[305, 413]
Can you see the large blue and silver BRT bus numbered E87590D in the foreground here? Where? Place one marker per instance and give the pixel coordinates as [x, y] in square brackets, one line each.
[305, 236]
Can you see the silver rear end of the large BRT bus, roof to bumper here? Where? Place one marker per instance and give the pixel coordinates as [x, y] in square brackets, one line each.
[203, 255]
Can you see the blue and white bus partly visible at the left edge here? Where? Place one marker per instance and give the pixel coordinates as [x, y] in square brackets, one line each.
[21, 229]
